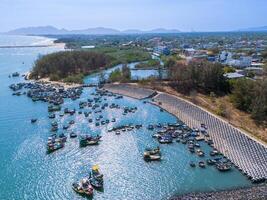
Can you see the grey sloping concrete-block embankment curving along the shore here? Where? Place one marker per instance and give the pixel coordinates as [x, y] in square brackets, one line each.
[248, 154]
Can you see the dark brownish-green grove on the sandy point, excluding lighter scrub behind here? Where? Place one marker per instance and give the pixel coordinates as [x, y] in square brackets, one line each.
[70, 66]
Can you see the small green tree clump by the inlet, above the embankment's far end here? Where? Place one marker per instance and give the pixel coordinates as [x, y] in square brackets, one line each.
[120, 75]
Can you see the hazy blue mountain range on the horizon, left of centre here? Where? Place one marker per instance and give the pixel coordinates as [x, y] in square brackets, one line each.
[50, 30]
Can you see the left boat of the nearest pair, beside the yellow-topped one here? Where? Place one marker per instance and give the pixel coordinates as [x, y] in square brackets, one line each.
[83, 187]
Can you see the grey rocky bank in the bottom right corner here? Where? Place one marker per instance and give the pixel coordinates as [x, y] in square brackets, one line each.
[256, 192]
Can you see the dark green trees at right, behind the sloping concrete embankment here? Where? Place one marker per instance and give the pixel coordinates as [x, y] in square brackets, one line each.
[246, 94]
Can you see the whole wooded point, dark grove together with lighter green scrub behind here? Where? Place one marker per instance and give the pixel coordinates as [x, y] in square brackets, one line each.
[72, 66]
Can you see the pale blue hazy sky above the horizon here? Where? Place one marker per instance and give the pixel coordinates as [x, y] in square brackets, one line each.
[185, 15]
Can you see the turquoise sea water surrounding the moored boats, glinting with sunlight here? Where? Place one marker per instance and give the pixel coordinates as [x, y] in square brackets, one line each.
[27, 172]
